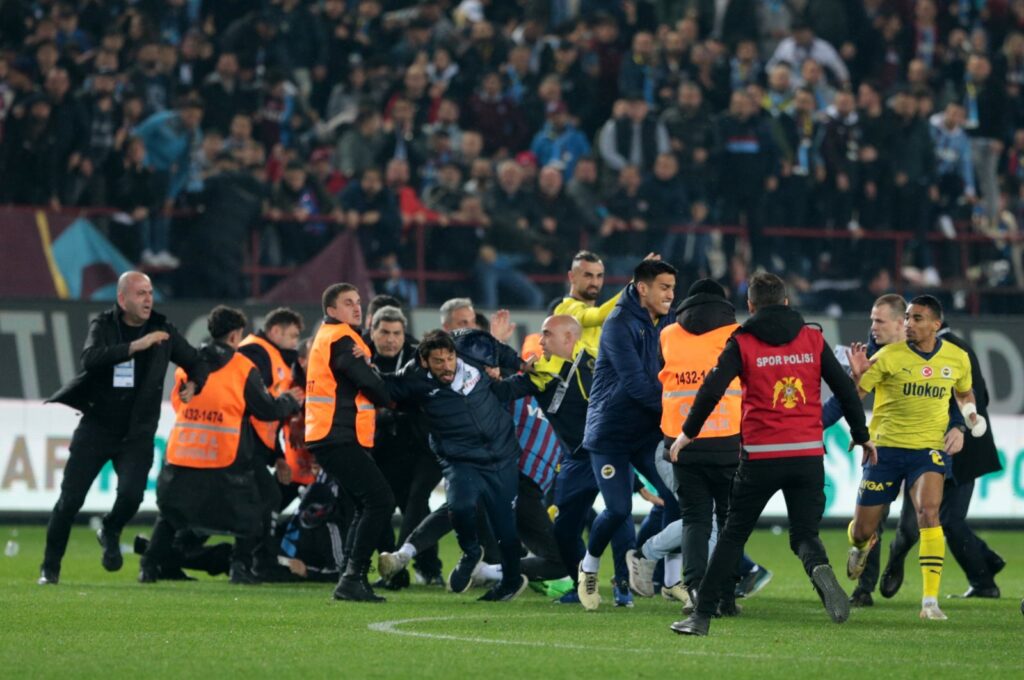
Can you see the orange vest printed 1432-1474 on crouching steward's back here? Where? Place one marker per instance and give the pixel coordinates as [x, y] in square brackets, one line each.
[208, 430]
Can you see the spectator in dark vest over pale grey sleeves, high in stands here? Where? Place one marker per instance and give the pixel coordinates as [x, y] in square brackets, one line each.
[636, 139]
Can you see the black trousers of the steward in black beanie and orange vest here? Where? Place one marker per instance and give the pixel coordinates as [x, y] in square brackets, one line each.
[704, 491]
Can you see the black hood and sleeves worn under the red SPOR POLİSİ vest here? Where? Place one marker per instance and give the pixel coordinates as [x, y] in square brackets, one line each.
[777, 325]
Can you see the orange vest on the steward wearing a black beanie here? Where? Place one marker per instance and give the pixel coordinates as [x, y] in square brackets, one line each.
[689, 359]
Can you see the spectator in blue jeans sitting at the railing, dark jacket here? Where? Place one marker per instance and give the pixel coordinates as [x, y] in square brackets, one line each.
[509, 243]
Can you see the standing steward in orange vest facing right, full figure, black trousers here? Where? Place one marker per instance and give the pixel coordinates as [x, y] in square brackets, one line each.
[342, 393]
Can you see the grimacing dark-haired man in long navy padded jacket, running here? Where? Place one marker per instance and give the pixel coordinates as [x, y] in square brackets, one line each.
[623, 422]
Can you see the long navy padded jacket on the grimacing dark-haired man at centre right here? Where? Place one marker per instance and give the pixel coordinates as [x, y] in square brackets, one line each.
[626, 397]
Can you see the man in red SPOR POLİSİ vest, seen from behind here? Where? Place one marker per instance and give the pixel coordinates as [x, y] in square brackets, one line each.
[781, 363]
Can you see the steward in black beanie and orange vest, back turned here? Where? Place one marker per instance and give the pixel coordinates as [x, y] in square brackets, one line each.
[691, 348]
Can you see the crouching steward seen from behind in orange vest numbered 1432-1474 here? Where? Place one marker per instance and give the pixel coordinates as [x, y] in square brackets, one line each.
[209, 482]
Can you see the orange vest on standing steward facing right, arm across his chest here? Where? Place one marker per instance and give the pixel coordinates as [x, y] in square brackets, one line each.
[322, 389]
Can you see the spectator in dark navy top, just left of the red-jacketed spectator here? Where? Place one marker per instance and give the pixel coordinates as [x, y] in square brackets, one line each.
[372, 212]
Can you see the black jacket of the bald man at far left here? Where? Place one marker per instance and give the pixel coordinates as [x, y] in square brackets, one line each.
[94, 394]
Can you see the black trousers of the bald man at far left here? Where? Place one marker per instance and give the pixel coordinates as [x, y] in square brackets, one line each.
[92, 448]
